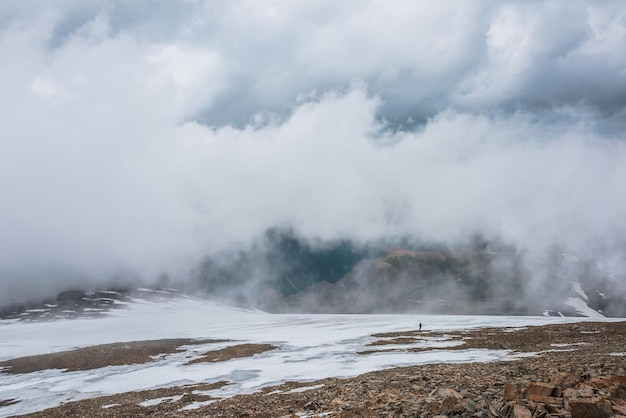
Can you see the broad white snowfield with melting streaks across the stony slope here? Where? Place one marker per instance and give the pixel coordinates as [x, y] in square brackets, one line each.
[310, 347]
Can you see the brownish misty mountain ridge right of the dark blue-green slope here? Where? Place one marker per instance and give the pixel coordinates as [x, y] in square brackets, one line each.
[469, 281]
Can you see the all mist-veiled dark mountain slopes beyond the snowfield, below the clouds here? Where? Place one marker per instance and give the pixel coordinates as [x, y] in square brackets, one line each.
[285, 273]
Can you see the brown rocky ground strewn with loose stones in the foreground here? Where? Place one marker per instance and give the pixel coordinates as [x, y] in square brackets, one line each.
[579, 370]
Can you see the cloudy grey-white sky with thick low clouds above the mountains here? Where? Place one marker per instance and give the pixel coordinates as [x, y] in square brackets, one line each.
[138, 137]
